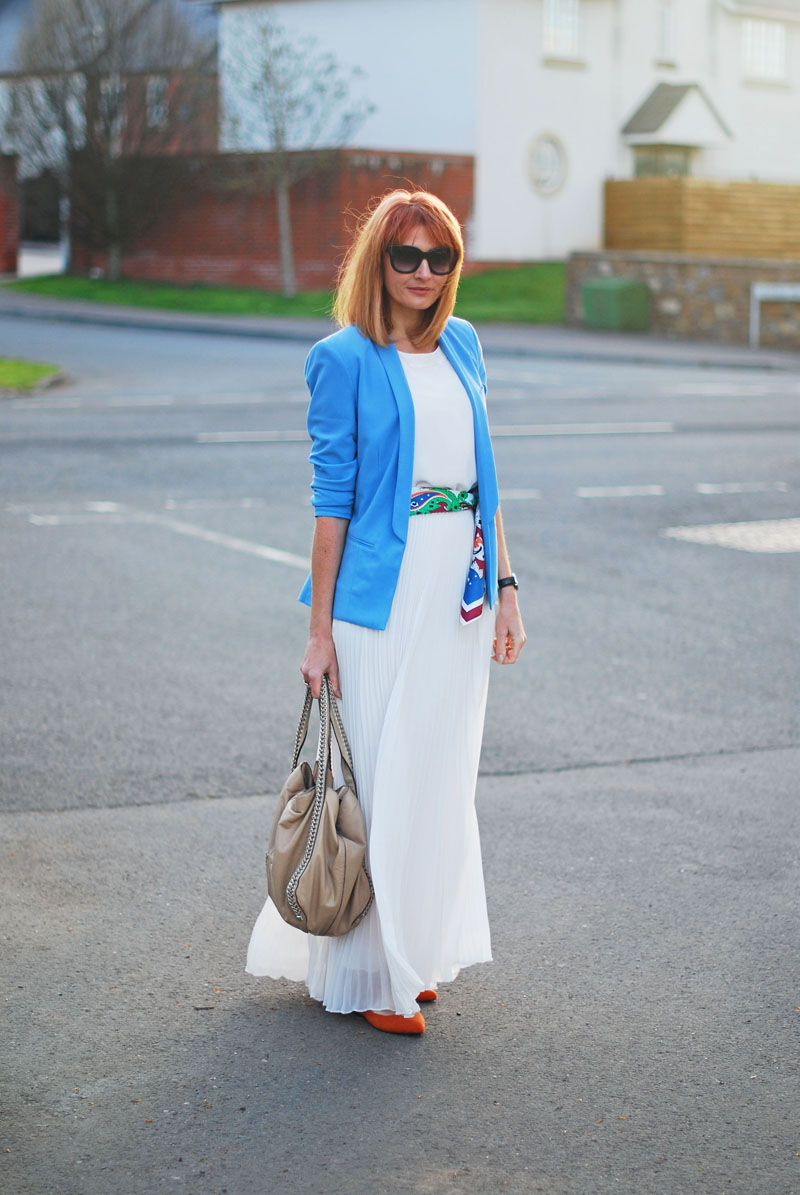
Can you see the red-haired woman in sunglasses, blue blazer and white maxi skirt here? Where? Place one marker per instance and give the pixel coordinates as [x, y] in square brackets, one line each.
[404, 611]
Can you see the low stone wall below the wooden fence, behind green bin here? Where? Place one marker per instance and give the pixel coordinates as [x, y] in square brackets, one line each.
[695, 298]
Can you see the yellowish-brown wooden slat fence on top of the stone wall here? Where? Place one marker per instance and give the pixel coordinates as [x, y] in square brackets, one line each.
[699, 216]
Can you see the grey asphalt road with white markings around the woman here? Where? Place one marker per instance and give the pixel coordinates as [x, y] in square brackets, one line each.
[638, 793]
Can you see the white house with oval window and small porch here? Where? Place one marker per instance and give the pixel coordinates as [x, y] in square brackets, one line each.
[552, 97]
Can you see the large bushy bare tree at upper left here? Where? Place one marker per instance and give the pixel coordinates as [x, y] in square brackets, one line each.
[94, 84]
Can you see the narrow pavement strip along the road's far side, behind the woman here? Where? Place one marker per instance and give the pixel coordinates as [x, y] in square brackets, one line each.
[511, 340]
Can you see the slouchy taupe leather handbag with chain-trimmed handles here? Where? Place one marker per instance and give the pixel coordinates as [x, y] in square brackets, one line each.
[316, 861]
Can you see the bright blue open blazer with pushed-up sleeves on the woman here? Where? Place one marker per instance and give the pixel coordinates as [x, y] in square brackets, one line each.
[362, 426]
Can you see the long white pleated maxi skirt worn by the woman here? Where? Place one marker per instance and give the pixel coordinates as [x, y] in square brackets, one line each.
[413, 706]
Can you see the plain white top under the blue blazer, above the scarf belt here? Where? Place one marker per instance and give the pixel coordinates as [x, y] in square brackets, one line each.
[444, 436]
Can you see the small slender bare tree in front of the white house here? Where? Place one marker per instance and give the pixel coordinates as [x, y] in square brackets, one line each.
[290, 99]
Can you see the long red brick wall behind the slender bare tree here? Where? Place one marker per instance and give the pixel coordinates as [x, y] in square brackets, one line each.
[225, 231]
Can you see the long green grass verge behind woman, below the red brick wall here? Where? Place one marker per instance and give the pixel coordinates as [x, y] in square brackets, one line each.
[526, 295]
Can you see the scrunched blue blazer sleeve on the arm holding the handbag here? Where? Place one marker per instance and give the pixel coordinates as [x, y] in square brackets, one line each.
[333, 427]
